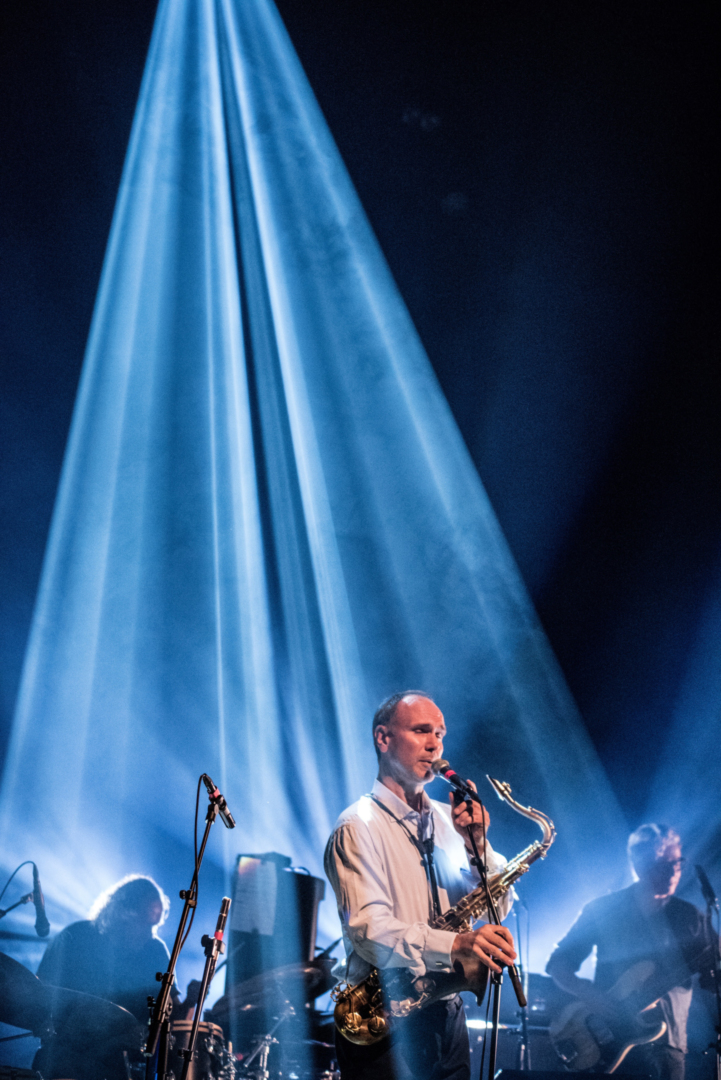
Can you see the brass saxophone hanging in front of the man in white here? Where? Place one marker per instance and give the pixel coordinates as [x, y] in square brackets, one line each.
[365, 1014]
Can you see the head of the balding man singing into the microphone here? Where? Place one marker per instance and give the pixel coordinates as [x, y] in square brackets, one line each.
[412, 741]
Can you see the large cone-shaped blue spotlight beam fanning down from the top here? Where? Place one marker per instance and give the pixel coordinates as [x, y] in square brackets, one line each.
[267, 518]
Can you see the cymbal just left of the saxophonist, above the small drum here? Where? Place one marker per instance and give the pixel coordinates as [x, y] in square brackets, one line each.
[293, 982]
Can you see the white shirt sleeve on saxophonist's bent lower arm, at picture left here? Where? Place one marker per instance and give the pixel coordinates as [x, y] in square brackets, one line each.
[366, 906]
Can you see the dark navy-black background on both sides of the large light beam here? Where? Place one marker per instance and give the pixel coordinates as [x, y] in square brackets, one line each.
[539, 177]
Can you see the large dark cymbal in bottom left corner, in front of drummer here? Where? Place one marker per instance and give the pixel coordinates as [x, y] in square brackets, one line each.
[79, 1019]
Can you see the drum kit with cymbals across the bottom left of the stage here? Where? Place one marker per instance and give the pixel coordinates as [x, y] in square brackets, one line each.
[262, 1030]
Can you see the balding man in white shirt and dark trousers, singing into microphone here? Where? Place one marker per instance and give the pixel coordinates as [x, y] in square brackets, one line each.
[389, 892]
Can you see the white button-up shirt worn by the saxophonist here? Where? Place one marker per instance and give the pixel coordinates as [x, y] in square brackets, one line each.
[383, 888]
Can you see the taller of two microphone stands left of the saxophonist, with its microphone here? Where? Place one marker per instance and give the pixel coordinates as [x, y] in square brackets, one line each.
[159, 1025]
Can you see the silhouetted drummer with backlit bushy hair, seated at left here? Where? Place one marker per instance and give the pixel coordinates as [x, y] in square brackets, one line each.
[115, 953]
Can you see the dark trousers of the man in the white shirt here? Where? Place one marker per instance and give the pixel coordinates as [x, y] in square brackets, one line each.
[431, 1045]
